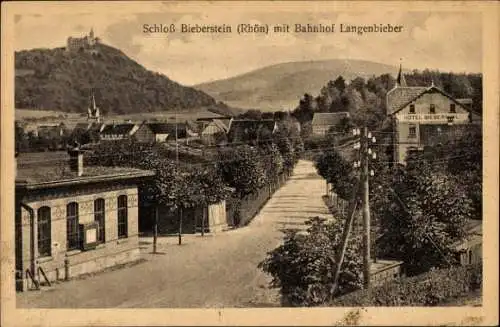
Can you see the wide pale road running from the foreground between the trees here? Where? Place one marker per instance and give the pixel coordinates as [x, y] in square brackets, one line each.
[213, 271]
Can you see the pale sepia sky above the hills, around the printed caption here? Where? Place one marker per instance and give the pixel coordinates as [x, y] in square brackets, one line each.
[448, 41]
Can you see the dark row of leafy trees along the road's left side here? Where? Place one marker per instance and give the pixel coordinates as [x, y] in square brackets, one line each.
[238, 171]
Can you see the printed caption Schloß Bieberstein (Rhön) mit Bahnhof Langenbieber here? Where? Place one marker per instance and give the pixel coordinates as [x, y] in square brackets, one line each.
[267, 29]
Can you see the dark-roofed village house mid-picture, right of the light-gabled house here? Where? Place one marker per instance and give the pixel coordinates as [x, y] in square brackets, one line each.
[247, 130]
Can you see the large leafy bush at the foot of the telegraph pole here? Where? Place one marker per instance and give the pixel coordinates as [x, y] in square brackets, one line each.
[303, 266]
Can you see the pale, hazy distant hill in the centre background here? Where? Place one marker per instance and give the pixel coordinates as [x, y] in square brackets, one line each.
[280, 86]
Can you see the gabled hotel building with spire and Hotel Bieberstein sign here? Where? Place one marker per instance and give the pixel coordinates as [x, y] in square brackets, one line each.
[425, 116]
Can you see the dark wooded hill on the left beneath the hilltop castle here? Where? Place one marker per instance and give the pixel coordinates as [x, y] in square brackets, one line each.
[56, 79]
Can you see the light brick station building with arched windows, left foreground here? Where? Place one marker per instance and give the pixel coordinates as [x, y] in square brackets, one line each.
[71, 220]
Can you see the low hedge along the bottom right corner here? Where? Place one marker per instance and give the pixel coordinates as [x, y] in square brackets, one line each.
[428, 289]
